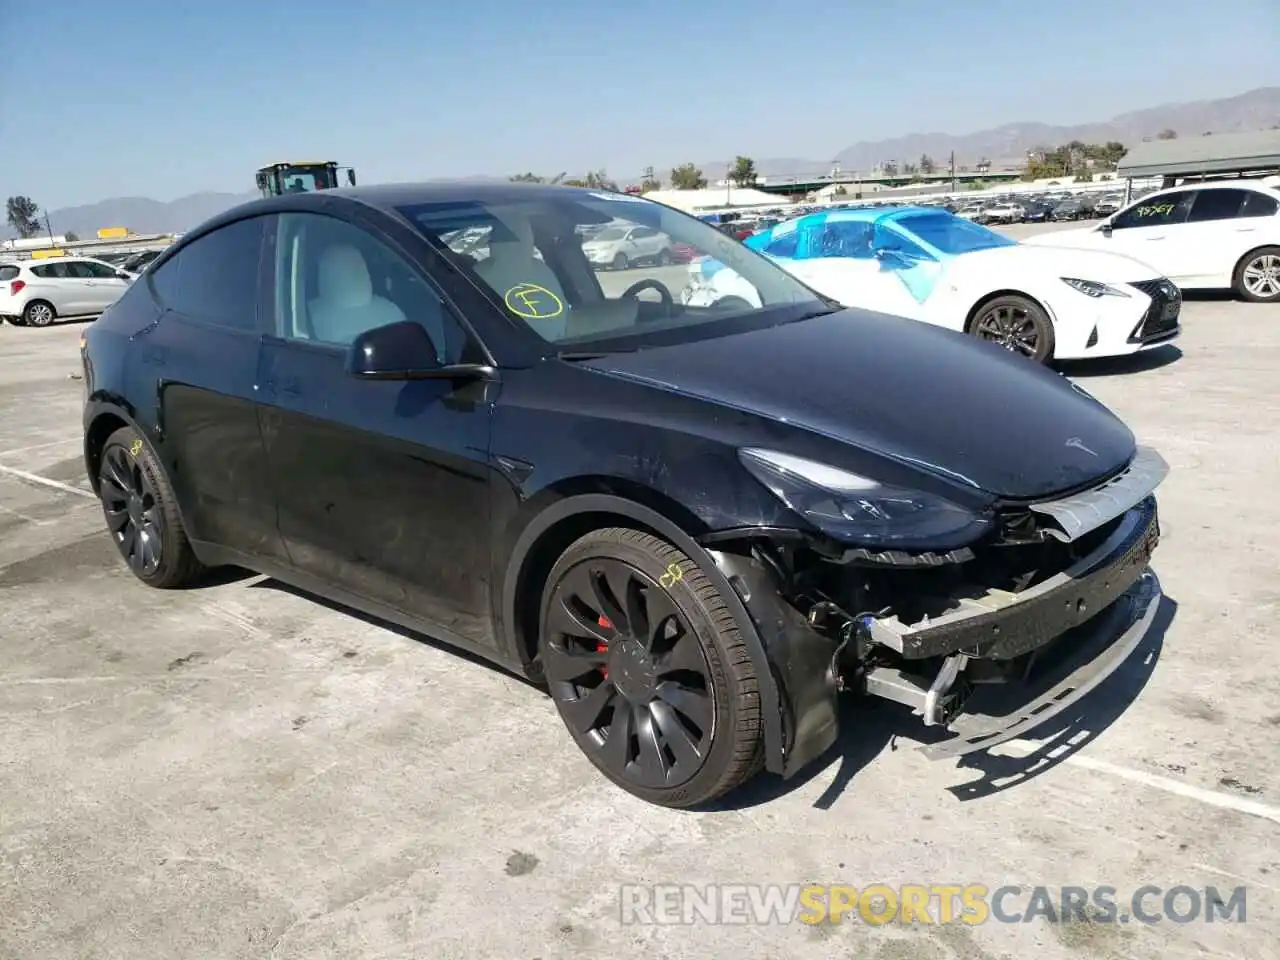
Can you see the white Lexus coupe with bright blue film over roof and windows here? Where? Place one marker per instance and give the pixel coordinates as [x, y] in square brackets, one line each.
[926, 264]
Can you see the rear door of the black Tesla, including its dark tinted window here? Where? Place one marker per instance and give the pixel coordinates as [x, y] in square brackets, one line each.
[203, 358]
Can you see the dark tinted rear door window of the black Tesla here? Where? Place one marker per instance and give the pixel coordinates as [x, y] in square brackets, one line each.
[216, 278]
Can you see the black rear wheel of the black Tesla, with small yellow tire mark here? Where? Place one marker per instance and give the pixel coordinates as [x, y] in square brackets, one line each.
[141, 513]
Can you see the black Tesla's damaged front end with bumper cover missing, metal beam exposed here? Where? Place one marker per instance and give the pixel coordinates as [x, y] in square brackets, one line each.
[1049, 604]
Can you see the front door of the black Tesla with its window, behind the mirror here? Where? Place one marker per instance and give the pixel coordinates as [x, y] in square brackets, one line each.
[383, 486]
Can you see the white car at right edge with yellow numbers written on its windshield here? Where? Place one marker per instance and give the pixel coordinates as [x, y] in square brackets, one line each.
[1203, 236]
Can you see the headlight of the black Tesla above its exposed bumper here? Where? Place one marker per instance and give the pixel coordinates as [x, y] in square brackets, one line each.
[858, 510]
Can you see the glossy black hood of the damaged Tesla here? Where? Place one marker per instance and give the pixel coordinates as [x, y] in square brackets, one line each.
[917, 394]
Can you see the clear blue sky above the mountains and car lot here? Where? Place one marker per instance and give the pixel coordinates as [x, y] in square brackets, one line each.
[161, 99]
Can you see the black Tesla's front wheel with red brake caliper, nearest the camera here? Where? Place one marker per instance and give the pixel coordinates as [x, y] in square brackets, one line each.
[648, 669]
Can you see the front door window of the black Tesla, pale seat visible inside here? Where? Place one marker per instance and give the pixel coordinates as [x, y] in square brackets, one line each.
[335, 281]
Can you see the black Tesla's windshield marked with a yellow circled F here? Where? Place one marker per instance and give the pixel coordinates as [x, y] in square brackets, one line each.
[665, 277]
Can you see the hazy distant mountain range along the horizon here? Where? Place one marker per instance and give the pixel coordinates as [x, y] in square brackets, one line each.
[1008, 145]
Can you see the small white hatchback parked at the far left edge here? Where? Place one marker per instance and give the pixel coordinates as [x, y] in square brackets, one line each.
[39, 292]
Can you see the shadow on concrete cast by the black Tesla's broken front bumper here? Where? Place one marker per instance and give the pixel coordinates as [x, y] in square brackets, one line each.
[867, 729]
